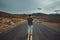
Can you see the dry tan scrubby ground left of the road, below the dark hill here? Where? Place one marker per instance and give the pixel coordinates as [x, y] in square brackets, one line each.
[8, 23]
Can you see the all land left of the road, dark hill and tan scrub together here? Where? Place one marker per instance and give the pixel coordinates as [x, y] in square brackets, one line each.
[8, 21]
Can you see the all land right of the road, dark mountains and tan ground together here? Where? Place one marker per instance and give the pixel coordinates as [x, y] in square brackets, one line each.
[52, 20]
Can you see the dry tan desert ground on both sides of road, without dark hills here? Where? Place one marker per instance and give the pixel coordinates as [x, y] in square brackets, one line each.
[8, 23]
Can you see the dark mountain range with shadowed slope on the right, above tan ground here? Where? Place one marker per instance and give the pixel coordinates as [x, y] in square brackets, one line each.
[50, 17]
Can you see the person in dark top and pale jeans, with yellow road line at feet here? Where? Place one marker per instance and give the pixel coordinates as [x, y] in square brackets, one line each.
[30, 27]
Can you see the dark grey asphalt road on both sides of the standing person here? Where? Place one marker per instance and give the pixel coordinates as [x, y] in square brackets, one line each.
[40, 32]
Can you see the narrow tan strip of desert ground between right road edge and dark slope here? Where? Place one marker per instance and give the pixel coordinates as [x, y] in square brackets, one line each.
[48, 23]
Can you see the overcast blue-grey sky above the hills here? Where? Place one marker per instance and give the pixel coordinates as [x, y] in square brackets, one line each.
[29, 6]
